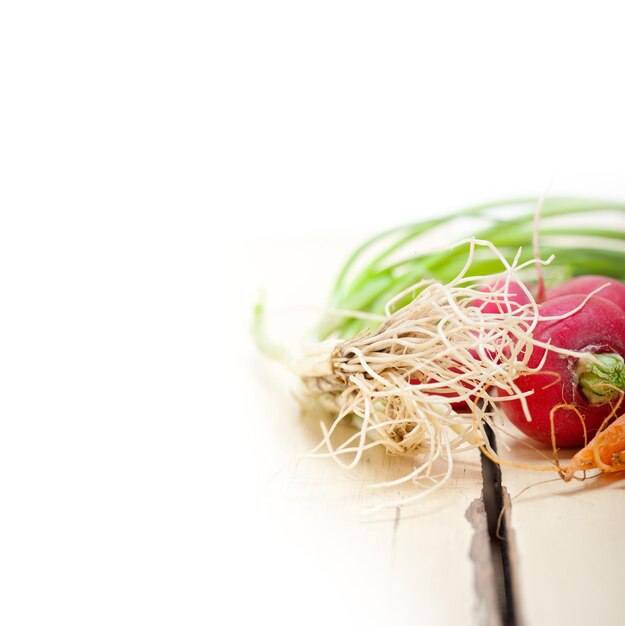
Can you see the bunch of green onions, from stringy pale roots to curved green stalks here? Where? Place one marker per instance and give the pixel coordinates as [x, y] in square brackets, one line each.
[408, 360]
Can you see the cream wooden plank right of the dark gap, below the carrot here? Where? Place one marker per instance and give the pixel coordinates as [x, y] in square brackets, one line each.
[568, 543]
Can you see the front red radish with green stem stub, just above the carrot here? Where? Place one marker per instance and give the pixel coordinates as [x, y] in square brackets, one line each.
[598, 328]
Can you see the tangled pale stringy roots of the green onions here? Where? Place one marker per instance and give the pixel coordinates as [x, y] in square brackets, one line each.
[427, 380]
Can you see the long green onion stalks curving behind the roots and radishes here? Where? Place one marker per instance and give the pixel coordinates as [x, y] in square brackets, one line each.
[390, 262]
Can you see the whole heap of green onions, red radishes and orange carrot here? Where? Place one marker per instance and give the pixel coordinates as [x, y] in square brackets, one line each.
[424, 349]
